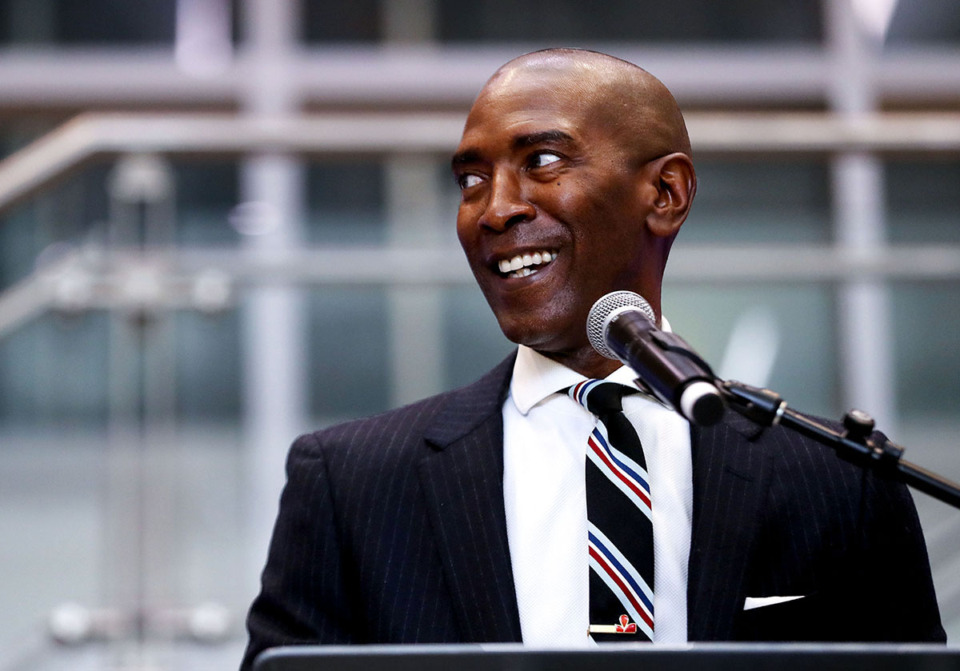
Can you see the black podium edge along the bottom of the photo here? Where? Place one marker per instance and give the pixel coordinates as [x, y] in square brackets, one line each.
[622, 657]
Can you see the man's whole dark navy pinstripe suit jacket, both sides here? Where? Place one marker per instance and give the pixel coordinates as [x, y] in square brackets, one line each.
[392, 530]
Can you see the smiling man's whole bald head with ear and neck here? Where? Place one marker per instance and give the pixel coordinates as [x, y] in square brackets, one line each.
[575, 177]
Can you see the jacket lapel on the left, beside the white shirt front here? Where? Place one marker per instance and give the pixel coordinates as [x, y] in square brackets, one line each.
[462, 478]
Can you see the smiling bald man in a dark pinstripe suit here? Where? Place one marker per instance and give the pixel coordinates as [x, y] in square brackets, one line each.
[462, 518]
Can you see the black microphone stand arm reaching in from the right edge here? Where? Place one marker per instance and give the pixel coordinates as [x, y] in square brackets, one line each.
[854, 443]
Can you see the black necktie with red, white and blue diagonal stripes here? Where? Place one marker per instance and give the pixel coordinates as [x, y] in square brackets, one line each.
[620, 530]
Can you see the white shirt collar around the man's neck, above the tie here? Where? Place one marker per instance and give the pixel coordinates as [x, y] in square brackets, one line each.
[535, 377]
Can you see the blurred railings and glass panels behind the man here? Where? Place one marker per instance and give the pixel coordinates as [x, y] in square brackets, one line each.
[227, 222]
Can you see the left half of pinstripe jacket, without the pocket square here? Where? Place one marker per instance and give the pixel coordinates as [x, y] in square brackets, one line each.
[392, 530]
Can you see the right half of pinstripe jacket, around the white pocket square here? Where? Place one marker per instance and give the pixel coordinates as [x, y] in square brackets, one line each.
[776, 514]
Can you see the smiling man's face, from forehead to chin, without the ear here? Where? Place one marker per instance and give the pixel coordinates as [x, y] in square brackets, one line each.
[551, 215]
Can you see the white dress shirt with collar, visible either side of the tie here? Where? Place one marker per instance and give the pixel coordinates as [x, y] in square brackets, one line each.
[545, 439]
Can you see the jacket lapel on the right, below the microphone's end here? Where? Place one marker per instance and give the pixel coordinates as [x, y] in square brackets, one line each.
[729, 478]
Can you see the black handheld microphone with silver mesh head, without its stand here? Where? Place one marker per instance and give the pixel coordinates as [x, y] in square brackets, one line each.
[621, 325]
